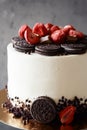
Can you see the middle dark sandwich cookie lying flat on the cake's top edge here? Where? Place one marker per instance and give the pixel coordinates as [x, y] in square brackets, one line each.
[48, 49]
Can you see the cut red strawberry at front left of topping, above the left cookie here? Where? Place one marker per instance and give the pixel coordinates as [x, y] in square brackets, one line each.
[30, 37]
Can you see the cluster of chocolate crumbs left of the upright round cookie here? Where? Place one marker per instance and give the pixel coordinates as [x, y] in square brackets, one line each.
[18, 111]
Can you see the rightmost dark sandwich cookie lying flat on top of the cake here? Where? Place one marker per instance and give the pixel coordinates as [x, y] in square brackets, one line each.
[74, 48]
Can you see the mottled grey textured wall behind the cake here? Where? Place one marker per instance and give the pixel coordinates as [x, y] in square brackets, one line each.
[14, 13]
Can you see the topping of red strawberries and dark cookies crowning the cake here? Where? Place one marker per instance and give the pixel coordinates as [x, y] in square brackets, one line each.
[57, 35]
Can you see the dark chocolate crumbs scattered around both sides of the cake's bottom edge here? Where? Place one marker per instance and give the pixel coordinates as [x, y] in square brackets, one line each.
[24, 113]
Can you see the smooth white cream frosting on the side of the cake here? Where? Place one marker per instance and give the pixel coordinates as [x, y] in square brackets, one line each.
[30, 76]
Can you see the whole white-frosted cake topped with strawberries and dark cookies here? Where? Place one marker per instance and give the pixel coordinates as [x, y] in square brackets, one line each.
[47, 73]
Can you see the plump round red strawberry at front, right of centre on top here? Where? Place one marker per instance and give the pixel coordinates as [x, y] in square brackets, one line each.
[58, 36]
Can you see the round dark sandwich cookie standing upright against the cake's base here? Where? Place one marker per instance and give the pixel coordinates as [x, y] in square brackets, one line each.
[43, 109]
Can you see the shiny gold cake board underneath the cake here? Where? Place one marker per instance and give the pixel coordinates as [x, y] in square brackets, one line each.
[7, 118]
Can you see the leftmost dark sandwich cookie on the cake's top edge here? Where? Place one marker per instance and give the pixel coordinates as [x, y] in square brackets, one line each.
[22, 46]
